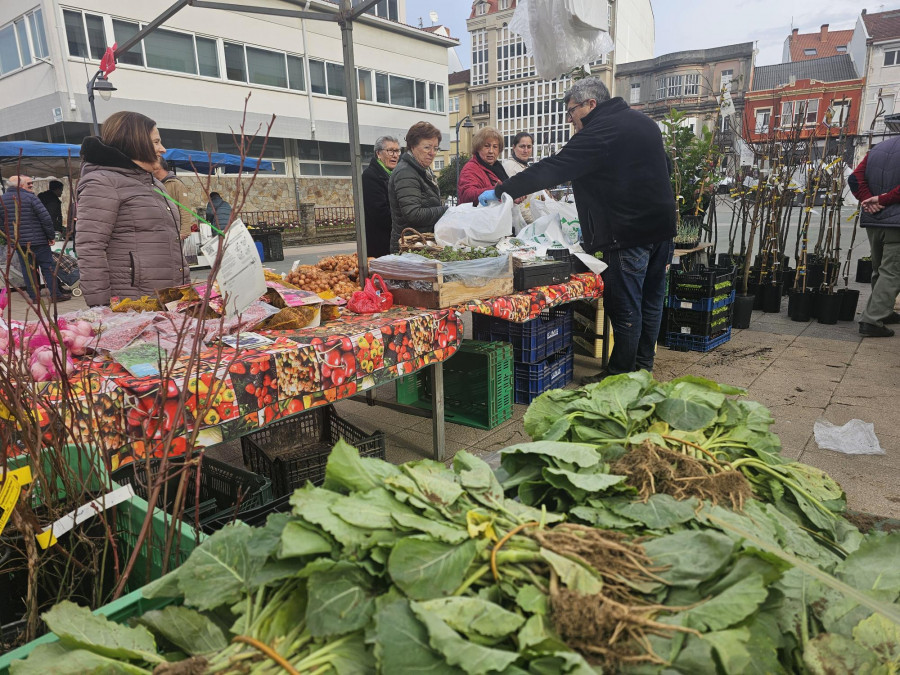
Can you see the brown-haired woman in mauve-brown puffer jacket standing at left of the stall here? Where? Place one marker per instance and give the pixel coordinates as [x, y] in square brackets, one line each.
[128, 233]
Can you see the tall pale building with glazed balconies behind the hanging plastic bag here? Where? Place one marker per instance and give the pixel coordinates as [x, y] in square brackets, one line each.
[507, 94]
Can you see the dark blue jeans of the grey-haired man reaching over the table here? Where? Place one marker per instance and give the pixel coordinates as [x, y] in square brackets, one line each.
[634, 286]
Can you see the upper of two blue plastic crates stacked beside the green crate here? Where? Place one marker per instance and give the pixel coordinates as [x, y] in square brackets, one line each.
[533, 340]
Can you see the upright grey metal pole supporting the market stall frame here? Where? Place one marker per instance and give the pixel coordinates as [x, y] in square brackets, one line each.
[350, 90]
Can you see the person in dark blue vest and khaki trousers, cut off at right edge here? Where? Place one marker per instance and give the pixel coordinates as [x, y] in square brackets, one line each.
[876, 184]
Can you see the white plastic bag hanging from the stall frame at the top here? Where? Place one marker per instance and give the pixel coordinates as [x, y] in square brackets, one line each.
[557, 45]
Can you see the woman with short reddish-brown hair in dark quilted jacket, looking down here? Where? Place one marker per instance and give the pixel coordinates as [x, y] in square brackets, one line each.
[412, 189]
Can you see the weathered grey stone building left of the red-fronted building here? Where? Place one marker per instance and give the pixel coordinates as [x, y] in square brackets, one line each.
[691, 82]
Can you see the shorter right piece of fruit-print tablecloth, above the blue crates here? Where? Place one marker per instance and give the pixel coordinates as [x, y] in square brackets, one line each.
[527, 305]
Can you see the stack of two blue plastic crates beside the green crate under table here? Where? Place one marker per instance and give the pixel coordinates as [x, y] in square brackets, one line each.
[543, 358]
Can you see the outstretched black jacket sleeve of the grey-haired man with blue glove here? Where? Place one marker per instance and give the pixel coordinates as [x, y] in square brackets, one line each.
[577, 157]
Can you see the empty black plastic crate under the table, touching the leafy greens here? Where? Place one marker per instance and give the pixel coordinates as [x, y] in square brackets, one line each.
[295, 450]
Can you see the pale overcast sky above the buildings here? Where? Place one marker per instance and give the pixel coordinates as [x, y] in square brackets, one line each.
[695, 24]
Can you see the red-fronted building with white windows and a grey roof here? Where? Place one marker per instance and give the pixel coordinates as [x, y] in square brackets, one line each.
[810, 101]
